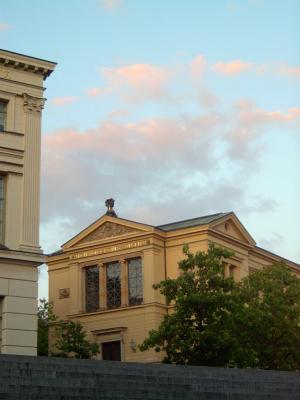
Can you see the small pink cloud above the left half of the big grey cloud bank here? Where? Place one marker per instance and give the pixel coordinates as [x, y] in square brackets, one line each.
[139, 81]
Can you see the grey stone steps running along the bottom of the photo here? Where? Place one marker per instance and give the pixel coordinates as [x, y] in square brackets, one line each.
[42, 378]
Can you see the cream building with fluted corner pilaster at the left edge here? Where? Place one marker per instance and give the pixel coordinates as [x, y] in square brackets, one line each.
[21, 104]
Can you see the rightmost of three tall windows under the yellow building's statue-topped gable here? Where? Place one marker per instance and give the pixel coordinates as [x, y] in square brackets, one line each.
[135, 281]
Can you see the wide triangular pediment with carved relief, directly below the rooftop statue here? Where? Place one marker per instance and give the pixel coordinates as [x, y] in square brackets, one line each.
[106, 228]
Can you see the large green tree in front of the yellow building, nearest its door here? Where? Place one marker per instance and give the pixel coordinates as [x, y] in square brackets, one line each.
[197, 331]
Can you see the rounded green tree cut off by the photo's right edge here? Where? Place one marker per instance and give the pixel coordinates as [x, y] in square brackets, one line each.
[267, 325]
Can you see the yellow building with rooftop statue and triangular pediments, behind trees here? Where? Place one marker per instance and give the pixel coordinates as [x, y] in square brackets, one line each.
[103, 276]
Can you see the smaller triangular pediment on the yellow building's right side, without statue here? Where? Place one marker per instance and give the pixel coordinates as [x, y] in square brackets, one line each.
[232, 227]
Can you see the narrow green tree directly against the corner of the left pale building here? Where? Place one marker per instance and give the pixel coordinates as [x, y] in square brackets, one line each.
[45, 318]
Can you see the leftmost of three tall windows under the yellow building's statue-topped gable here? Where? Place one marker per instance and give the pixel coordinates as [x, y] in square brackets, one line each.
[92, 289]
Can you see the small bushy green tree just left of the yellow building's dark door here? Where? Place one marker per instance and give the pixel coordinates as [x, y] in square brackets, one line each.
[71, 341]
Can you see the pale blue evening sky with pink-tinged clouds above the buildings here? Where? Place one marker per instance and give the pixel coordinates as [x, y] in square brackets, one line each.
[175, 108]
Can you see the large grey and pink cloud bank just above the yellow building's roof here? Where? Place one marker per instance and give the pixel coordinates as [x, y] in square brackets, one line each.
[151, 167]
